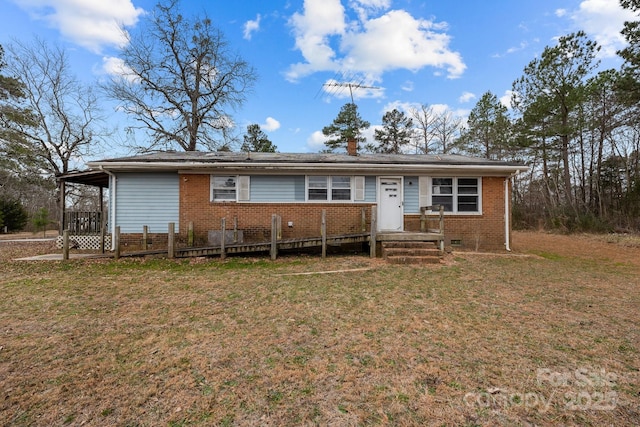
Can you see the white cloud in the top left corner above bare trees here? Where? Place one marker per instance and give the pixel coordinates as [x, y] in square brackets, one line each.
[88, 23]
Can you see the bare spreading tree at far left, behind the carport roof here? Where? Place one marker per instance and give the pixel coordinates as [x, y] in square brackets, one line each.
[64, 113]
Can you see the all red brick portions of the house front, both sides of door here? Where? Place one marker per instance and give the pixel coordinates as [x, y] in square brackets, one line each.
[481, 232]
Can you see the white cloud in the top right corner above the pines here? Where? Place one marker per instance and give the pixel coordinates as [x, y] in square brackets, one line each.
[603, 20]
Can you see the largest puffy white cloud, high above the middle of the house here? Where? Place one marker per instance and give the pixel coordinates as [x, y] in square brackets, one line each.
[329, 41]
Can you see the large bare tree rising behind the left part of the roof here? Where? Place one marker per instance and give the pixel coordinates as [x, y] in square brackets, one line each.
[179, 80]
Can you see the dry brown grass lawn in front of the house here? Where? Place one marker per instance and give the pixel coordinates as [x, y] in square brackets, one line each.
[481, 341]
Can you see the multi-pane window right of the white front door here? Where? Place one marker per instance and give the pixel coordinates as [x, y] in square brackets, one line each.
[457, 195]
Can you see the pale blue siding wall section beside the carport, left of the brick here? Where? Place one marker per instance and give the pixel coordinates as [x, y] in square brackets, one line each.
[151, 199]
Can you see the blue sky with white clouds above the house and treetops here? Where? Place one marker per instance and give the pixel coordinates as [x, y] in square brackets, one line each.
[442, 53]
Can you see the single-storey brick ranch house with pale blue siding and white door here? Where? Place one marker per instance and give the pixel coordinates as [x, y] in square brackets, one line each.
[202, 188]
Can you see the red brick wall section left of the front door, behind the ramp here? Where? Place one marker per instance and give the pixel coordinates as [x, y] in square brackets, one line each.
[254, 219]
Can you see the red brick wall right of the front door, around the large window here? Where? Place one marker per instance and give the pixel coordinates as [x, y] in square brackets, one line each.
[476, 232]
